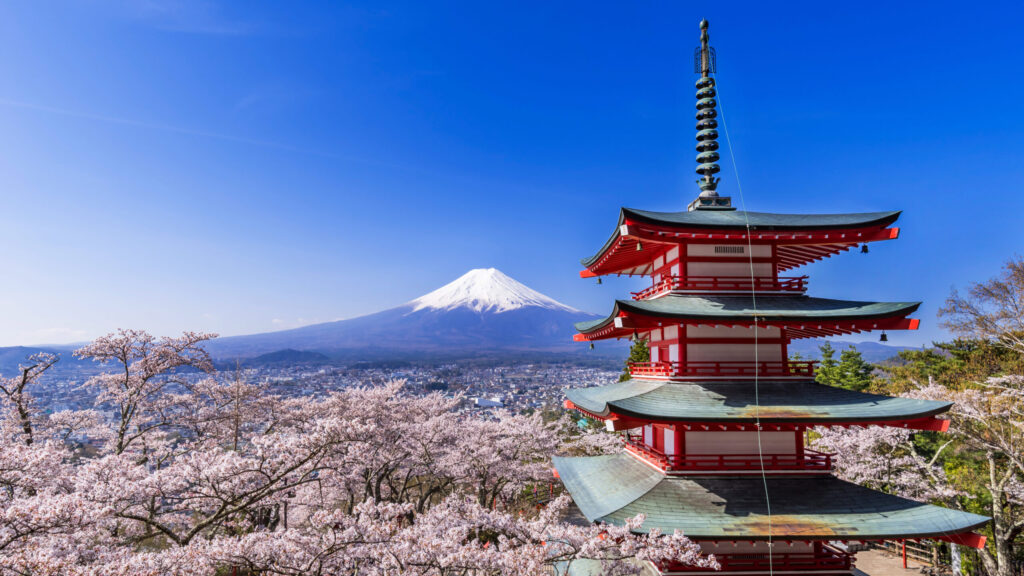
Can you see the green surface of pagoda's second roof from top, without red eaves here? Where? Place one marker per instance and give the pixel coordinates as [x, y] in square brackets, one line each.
[772, 309]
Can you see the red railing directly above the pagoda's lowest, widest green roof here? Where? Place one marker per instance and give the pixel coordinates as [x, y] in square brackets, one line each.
[809, 461]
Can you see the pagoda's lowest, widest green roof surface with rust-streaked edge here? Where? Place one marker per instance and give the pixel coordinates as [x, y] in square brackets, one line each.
[618, 487]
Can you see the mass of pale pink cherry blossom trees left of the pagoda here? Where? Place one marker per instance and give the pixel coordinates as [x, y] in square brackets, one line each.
[201, 475]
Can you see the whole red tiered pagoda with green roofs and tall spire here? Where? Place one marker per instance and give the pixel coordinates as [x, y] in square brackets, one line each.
[715, 424]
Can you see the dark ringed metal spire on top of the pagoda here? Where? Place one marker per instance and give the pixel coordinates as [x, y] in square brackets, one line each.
[704, 64]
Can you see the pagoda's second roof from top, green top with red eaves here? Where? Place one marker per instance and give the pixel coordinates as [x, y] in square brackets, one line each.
[788, 311]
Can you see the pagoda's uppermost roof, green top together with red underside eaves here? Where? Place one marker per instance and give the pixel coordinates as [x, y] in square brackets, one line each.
[801, 238]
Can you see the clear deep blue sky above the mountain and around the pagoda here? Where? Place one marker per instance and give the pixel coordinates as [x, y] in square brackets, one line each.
[178, 164]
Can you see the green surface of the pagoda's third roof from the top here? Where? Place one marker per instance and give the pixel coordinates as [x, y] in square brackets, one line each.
[776, 401]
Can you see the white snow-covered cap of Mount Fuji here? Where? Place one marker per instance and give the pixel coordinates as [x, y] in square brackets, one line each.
[486, 291]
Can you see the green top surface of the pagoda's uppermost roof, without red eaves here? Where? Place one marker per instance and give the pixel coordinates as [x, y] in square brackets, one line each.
[761, 222]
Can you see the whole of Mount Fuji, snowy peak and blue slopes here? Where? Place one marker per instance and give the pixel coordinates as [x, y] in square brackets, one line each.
[484, 310]
